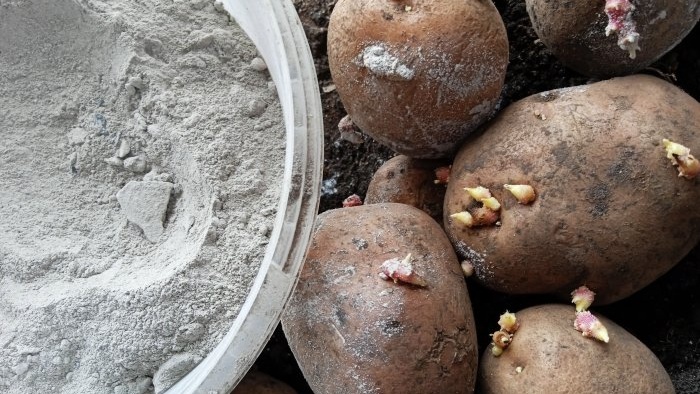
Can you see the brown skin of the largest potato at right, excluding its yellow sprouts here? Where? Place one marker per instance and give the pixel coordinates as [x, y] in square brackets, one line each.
[611, 212]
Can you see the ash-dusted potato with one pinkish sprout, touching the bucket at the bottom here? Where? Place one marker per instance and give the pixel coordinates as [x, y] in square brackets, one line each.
[352, 331]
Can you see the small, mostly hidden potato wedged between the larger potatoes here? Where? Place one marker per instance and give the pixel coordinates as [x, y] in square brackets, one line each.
[409, 181]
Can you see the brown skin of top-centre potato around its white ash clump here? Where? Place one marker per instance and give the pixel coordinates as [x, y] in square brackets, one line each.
[457, 51]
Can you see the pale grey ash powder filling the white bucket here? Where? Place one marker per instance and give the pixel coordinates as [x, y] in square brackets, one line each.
[141, 157]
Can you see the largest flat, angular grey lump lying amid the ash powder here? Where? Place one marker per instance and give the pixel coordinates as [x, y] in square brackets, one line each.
[144, 204]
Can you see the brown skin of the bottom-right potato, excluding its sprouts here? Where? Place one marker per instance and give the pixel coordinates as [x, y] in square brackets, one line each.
[555, 358]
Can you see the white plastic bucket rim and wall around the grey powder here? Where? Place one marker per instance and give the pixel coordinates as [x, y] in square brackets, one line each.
[274, 27]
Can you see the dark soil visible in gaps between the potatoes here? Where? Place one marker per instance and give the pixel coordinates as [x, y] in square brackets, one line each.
[665, 315]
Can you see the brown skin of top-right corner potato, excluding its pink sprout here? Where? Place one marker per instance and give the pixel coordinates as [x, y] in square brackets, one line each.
[575, 33]
